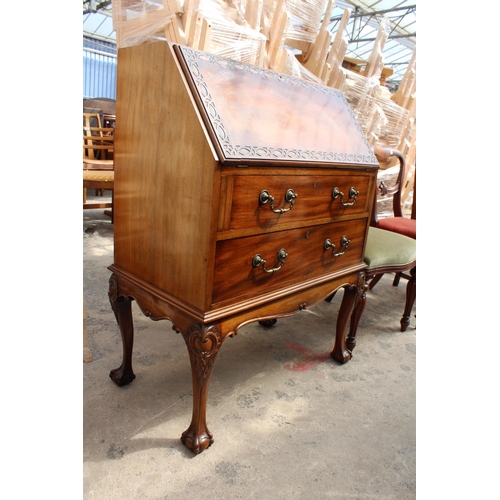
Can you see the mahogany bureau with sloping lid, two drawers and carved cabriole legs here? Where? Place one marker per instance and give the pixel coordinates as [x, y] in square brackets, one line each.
[240, 195]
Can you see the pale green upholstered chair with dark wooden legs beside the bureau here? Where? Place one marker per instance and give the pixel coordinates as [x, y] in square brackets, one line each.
[387, 252]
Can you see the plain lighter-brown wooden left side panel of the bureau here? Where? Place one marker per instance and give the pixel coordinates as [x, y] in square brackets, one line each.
[164, 178]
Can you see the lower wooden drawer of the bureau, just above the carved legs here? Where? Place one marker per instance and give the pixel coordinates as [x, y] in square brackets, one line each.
[235, 275]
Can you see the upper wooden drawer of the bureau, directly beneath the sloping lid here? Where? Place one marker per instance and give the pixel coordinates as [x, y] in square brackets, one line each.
[314, 198]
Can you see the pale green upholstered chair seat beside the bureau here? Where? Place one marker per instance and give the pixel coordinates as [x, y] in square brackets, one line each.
[386, 248]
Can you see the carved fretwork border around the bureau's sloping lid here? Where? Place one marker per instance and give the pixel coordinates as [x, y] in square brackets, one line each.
[230, 150]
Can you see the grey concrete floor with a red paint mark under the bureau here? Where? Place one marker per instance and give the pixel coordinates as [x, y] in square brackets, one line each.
[288, 421]
